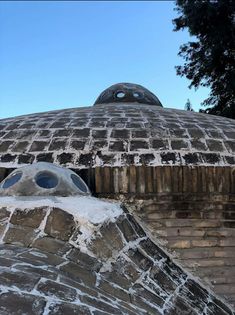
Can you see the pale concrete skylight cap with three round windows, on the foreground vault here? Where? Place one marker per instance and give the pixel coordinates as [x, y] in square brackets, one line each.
[43, 179]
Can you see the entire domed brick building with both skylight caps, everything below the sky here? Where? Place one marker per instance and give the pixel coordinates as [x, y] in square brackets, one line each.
[70, 253]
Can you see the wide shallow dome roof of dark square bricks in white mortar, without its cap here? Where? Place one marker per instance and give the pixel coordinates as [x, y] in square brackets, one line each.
[116, 135]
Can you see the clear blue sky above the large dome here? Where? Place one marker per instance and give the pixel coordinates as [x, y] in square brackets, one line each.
[62, 54]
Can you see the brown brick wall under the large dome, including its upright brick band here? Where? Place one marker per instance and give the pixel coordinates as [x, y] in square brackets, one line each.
[190, 210]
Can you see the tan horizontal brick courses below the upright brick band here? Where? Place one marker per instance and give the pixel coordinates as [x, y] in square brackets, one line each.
[200, 234]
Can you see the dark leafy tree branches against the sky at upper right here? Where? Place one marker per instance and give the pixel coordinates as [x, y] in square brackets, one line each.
[210, 58]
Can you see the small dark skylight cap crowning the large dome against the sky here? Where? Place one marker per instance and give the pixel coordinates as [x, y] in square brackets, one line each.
[127, 93]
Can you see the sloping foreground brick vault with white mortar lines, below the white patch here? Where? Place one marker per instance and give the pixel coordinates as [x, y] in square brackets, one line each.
[45, 270]
